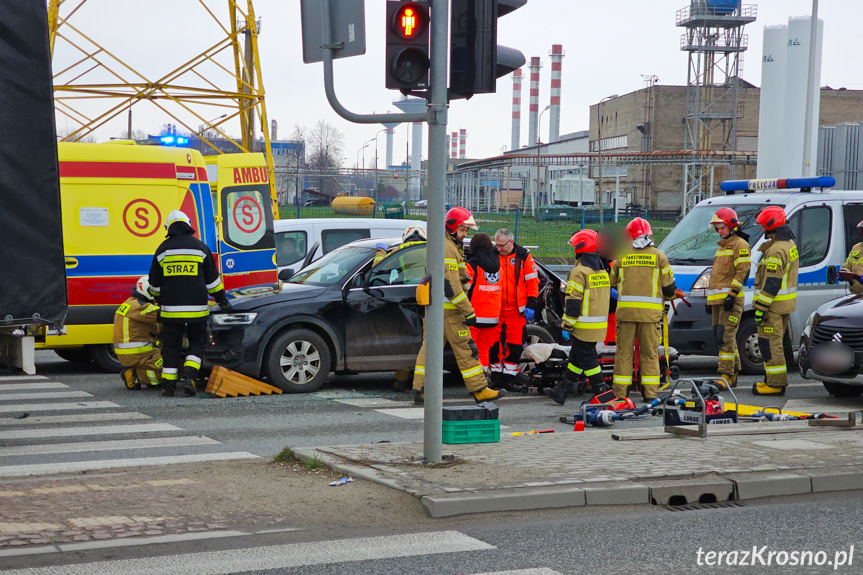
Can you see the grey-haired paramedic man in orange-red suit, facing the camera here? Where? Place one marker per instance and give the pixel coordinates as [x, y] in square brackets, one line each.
[519, 279]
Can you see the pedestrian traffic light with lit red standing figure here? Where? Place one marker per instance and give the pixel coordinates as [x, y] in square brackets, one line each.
[407, 55]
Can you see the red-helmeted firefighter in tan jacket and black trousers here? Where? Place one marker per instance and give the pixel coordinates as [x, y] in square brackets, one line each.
[585, 317]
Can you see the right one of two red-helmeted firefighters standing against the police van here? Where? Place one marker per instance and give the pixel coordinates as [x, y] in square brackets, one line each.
[775, 299]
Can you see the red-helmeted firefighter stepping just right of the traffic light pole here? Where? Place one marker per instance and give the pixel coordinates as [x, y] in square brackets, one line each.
[458, 314]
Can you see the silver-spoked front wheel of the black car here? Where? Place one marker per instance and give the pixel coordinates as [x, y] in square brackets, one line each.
[298, 361]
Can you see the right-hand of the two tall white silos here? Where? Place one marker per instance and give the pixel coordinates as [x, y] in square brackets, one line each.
[796, 79]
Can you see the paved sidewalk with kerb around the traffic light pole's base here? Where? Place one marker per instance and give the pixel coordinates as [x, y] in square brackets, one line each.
[570, 469]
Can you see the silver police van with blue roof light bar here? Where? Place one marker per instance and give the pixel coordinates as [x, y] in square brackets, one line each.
[824, 224]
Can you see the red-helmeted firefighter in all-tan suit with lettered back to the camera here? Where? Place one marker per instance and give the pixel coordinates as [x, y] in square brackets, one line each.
[643, 278]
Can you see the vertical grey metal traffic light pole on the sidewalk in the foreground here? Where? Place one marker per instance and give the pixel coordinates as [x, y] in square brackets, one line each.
[437, 120]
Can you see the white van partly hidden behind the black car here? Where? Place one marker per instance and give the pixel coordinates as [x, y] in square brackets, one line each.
[307, 239]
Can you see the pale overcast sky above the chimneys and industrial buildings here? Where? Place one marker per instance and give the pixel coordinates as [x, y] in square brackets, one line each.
[609, 44]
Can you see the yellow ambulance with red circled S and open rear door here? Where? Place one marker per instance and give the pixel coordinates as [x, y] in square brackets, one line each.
[114, 200]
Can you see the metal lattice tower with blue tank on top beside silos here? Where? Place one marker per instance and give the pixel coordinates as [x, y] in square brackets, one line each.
[715, 42]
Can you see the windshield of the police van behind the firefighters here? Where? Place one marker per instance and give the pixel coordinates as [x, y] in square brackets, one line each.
[693, 240]
